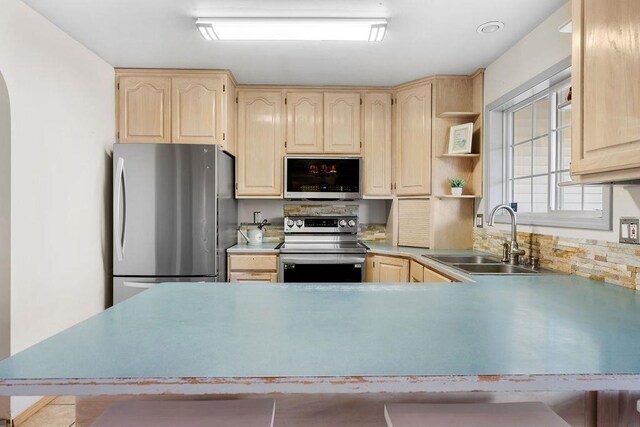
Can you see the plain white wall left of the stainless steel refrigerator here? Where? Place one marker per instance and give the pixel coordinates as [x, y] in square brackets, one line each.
[62, 126]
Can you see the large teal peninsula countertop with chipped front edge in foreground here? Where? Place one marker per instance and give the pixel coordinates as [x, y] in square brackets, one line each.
[500, 333]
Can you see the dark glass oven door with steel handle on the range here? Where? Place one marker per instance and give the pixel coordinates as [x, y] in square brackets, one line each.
[321, 268]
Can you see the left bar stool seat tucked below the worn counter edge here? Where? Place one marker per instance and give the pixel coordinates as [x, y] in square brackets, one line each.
[194, 413]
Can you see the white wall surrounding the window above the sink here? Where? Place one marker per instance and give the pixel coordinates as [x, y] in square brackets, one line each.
[538, 51]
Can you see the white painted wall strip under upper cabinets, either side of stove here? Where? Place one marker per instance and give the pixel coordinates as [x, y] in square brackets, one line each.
[370, 212]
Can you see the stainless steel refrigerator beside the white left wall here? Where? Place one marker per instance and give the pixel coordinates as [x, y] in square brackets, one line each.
[174, 215]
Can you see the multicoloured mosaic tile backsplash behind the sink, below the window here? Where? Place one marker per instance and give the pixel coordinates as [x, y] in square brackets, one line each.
[610, 262]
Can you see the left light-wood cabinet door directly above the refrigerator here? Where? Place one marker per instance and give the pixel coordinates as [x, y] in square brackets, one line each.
[144, 109]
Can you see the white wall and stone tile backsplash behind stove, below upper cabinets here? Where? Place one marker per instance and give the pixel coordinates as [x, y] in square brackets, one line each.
[372, 215]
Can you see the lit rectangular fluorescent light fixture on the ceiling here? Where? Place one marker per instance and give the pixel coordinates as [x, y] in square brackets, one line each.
[299, 29]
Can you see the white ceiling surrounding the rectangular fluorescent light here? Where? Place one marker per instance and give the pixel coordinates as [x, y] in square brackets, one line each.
[424, 37]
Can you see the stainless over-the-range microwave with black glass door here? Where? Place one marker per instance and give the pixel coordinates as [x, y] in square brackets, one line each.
[315, 177]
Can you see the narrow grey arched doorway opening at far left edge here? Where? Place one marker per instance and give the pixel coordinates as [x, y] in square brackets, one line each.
[5, 234]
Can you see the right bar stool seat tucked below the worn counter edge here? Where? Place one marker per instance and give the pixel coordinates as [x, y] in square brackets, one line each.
[521, 414]
